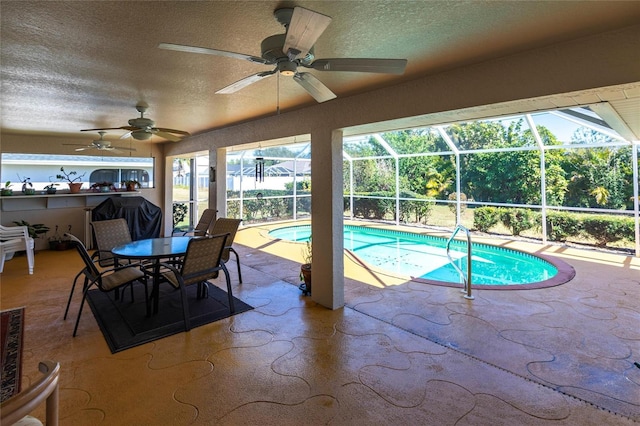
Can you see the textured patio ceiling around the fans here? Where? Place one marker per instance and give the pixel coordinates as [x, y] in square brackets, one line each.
[73, 65]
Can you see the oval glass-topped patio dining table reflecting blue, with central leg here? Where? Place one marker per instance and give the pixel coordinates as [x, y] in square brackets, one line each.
[154, 250]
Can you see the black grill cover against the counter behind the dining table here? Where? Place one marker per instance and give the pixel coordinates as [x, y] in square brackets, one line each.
[143, 217]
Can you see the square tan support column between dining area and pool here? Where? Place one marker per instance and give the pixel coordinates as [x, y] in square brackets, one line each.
[327, 219]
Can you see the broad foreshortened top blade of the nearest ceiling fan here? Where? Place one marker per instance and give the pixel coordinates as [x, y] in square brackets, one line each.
[305, 28]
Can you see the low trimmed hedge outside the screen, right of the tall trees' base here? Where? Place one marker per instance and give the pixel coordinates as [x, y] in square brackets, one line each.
[560, 225]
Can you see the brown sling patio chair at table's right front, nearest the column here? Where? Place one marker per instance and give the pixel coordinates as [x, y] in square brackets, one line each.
[202, 262]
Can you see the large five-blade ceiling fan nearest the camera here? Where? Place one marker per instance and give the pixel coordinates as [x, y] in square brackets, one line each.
[294, 49]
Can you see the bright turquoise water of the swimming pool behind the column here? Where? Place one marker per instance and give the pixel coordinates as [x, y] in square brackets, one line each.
[422, 256]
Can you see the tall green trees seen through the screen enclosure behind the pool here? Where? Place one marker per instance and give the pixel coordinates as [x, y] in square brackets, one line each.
[594, 177]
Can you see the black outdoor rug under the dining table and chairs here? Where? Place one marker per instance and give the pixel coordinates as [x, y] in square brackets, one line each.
[125, 324]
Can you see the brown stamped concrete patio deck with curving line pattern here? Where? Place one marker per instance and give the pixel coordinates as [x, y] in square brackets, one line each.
[400, 352]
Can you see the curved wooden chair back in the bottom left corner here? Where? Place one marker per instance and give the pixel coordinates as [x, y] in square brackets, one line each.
[17, 408]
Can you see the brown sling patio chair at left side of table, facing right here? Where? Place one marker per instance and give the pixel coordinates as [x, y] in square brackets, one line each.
[107, 280]
